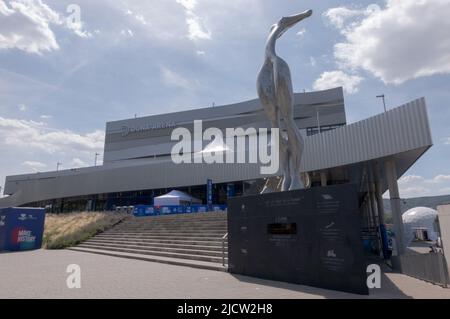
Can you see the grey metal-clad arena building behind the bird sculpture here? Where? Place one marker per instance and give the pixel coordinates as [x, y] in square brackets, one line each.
[372, 153]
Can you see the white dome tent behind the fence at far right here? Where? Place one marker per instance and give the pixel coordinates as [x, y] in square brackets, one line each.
[420, 223]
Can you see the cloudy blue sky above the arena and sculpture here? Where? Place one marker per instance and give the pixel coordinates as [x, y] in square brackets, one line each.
[62, 78]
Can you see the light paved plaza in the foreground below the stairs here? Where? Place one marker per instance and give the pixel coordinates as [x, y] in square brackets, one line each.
[42, 274]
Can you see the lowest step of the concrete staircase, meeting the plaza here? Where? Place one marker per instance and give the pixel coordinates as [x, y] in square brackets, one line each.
[160, 259]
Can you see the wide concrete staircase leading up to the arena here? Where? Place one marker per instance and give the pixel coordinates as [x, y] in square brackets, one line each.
[193, 240]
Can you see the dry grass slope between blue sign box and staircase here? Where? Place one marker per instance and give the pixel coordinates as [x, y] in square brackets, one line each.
[67, 230]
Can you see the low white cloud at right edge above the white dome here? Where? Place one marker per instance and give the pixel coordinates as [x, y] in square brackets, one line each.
[417, 186]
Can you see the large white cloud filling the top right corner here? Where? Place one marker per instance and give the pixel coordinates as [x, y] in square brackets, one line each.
[403, 41]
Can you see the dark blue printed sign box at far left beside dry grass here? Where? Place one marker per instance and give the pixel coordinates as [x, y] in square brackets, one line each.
[21, 228]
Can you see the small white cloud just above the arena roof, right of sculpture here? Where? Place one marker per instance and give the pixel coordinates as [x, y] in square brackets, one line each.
[328, 80]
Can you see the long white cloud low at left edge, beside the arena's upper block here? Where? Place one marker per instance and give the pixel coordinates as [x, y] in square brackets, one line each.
[24, 134]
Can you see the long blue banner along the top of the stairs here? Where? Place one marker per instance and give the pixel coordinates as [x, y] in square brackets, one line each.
[145, 210]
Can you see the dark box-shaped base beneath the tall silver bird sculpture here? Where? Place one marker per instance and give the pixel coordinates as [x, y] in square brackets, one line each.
[310, 237]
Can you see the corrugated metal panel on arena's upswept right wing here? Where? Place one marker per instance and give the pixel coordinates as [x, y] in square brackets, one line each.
[399, 130]
